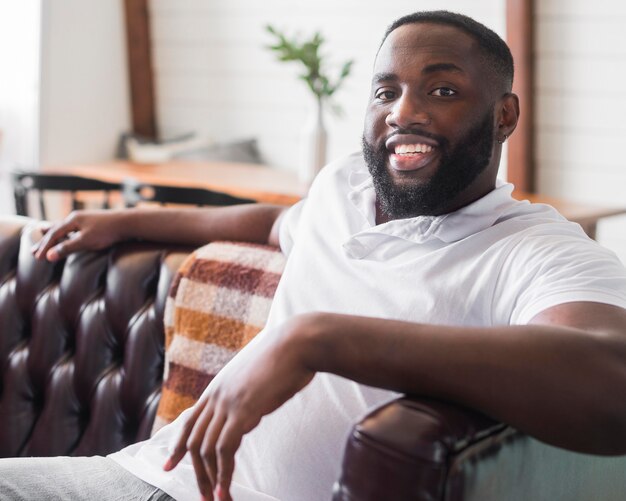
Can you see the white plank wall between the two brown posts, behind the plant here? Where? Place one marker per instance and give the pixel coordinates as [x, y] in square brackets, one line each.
[214, 76]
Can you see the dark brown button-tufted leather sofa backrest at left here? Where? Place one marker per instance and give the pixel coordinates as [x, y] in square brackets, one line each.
[81, 345]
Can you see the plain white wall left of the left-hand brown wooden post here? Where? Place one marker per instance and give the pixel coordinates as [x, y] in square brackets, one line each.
[84, 81]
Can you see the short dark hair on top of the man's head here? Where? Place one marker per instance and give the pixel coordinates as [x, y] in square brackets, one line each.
[497, 53]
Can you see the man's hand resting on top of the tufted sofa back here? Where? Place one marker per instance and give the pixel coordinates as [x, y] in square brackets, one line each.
[81, 230]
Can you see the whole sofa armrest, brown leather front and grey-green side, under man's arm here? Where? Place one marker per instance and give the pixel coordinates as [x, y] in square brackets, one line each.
[422, 449]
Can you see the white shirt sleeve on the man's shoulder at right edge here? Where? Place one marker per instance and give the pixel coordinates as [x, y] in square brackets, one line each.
[543, 273]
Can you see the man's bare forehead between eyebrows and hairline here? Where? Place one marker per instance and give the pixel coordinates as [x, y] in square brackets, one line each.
[428, 40]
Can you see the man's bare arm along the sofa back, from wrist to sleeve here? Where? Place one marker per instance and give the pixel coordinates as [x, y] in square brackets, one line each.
[249, 223]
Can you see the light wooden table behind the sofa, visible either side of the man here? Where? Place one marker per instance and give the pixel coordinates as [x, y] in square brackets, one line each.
[266, 184]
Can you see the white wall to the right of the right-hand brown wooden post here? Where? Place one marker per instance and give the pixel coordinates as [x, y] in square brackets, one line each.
[581, 105]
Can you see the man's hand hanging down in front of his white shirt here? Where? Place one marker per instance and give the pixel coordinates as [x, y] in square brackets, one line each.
[255, 384]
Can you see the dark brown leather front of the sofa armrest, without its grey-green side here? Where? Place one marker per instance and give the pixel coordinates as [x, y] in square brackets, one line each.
[402, 450]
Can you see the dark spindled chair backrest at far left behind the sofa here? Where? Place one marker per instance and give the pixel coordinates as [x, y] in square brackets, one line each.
[25, 183]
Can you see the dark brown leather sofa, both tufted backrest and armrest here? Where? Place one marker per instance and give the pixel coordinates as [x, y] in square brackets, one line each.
[81, 363]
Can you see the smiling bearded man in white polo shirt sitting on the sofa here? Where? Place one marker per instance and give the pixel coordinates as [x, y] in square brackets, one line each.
[411, 270]
